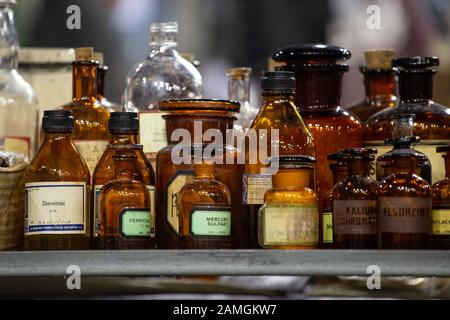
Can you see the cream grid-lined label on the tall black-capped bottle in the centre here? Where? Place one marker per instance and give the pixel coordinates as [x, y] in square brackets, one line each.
[254, 186]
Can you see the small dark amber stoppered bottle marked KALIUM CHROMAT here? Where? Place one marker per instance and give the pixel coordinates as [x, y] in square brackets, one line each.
[355, 216]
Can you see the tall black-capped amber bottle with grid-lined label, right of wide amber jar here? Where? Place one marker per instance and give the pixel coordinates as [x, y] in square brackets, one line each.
[277, 116]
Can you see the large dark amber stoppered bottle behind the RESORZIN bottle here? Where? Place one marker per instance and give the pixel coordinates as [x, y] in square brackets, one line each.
[432, 121]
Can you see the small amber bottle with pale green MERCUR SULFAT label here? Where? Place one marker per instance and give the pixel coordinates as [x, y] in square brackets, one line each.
[205, 209]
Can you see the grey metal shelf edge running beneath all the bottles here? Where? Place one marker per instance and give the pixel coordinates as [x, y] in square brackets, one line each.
[225, 262]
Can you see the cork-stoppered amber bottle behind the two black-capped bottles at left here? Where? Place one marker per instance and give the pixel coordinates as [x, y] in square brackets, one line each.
[90, 132]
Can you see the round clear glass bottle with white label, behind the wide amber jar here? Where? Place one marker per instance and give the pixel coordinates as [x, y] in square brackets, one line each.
[162, 75]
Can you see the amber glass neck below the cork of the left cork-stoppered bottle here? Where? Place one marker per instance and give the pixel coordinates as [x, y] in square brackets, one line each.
[84, 81]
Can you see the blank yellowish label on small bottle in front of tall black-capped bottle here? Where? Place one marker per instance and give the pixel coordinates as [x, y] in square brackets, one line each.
[290, 225]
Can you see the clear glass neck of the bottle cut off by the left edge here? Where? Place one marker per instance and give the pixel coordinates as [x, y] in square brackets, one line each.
[9, 44]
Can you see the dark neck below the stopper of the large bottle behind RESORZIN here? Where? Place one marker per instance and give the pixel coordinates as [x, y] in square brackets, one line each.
[415, 87]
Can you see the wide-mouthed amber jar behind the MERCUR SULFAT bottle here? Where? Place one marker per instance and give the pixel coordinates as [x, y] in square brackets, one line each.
[186, 121]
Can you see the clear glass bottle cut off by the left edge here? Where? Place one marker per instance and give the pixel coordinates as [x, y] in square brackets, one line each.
[19, 109]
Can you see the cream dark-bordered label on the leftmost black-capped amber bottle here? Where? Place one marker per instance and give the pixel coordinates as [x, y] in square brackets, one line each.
[55, 208]
